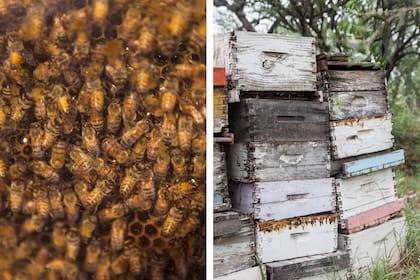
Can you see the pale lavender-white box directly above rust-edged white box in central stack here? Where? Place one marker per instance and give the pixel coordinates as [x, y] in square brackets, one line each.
[284, 199]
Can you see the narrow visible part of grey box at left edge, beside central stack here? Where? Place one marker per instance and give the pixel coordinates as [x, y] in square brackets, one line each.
[221, 199]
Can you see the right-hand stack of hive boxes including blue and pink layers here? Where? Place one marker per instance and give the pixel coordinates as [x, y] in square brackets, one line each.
[370, 223]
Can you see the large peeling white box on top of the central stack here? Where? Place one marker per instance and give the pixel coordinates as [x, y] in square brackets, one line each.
[266, 62]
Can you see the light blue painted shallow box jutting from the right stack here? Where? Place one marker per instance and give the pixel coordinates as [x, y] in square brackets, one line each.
[371, 164]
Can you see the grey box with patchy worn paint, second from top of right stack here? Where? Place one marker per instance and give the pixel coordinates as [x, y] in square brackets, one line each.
[357, 104]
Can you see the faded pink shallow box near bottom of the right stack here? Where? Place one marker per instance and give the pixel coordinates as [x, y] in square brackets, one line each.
[373, 217]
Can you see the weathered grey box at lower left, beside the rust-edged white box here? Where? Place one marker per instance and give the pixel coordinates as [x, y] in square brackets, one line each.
[236, 251]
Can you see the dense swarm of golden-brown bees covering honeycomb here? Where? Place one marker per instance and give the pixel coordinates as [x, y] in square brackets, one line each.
[102, 139]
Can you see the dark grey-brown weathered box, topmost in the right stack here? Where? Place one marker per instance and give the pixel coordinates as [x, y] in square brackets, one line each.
[356, 80]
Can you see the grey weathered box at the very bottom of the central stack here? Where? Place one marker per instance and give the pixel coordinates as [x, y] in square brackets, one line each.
[325, 266]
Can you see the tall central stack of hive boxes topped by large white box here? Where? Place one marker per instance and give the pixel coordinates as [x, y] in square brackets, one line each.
[279, 166]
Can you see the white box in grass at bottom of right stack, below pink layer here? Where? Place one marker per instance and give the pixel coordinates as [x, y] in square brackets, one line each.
[367, 247]
